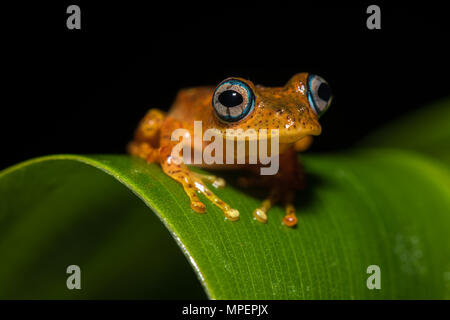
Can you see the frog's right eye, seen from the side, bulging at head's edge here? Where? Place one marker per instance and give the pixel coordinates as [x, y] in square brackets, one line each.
[319, 94]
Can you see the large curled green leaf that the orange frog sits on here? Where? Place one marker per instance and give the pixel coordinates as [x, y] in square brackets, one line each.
[374, 207]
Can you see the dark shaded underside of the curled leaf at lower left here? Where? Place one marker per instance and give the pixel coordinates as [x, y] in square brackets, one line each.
[59, 211]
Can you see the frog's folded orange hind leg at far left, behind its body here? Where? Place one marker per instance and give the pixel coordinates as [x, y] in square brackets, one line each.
[147, 135]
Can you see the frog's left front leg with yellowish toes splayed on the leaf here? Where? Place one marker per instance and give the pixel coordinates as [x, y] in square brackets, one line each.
[192, 182]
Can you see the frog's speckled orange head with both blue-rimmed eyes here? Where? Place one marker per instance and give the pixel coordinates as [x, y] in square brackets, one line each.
[293, 109]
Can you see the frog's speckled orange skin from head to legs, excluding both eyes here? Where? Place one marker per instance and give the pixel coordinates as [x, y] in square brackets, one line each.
[284, 108]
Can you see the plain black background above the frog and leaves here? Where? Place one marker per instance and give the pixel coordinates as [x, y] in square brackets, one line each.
[83, 91]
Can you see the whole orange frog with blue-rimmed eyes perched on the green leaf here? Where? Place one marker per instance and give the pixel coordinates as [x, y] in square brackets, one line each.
[237, 103]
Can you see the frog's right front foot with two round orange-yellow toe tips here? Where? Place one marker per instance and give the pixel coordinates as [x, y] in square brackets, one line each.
[290, 219]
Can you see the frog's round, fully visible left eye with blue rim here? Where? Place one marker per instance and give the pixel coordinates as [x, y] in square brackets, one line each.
[233, 100]
